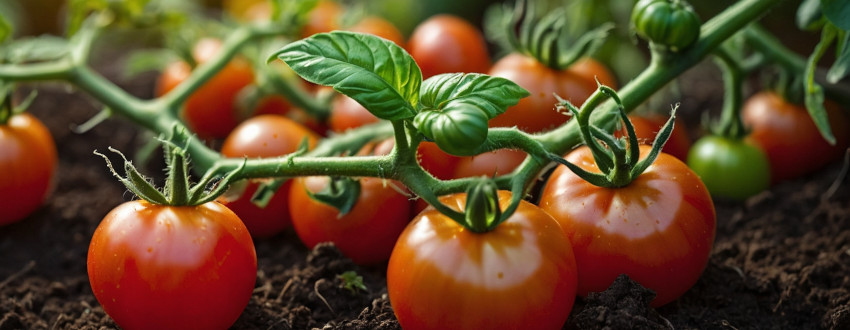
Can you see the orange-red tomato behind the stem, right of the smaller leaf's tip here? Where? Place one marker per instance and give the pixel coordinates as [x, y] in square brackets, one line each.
[536, 113]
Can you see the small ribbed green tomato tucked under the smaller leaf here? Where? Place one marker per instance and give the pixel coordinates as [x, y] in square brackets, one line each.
[458, 131]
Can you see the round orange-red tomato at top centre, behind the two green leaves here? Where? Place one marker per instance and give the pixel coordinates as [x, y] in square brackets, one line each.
[448, 44]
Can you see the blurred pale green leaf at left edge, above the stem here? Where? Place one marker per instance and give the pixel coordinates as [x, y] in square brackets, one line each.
[34, 49]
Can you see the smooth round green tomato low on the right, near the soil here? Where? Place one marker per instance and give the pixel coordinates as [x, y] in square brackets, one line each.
[730, 168]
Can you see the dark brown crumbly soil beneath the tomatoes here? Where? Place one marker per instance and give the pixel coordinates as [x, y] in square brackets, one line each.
[781, 259]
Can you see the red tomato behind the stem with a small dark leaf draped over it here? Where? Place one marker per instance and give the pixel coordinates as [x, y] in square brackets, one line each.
[366, 234]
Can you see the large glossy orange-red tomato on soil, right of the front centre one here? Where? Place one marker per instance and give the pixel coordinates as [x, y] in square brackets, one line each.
[658, 230]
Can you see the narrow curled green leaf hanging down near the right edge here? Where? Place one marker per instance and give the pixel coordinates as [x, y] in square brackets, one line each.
[814, 92]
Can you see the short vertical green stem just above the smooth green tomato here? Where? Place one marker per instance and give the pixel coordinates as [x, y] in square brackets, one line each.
[730, 125]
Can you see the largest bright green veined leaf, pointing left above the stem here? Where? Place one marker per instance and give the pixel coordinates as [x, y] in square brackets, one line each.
[375, 72]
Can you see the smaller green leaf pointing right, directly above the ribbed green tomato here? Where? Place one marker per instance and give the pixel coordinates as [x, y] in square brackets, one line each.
[493, 95]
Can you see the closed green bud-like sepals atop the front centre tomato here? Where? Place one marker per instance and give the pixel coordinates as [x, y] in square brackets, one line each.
[482, 205]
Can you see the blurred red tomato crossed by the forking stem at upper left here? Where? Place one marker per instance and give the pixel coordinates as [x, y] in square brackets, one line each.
[211, 110]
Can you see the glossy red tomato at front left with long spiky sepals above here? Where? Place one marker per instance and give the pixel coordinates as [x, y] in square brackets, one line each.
[172, 267]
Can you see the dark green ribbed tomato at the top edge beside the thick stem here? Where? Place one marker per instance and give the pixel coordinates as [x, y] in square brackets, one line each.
[671, 23]
